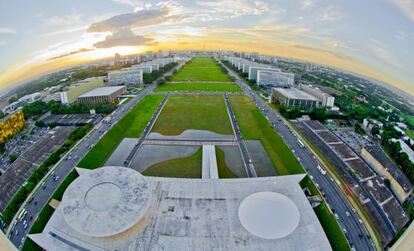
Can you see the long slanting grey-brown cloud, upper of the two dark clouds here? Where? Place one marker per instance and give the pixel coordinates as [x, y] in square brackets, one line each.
[140, 18]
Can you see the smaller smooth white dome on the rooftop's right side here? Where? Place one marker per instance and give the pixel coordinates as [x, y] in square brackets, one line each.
[269, 215]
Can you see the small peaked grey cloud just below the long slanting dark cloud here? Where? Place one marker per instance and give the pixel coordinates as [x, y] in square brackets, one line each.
[124, 37]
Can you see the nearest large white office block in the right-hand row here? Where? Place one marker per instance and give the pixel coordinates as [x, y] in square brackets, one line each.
[275, 78]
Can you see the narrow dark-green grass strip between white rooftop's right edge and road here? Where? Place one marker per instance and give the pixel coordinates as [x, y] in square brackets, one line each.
[331, 227]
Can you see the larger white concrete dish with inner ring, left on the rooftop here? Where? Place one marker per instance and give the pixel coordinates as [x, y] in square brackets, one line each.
[105, 201]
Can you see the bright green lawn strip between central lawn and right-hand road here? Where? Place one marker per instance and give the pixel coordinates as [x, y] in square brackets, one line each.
[254, 126]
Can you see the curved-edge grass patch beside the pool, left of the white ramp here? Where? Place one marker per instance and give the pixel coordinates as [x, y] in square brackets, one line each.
[189, 167]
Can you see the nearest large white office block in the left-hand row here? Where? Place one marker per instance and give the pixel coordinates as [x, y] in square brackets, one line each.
[126, 77]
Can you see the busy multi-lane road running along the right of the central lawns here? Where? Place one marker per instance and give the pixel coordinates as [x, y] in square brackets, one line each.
[347, 218]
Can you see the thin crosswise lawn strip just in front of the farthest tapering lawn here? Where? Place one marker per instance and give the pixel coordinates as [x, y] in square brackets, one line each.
[195, 87]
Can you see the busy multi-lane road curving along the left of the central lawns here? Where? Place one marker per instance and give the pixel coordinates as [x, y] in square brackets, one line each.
[18, 233]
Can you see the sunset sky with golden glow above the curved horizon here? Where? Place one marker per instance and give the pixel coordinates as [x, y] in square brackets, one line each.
[370, 37]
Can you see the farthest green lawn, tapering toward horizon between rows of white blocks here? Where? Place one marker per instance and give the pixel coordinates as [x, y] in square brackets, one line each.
[201, 69]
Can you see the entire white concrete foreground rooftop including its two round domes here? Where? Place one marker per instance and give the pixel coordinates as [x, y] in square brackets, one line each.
[269, 213]
